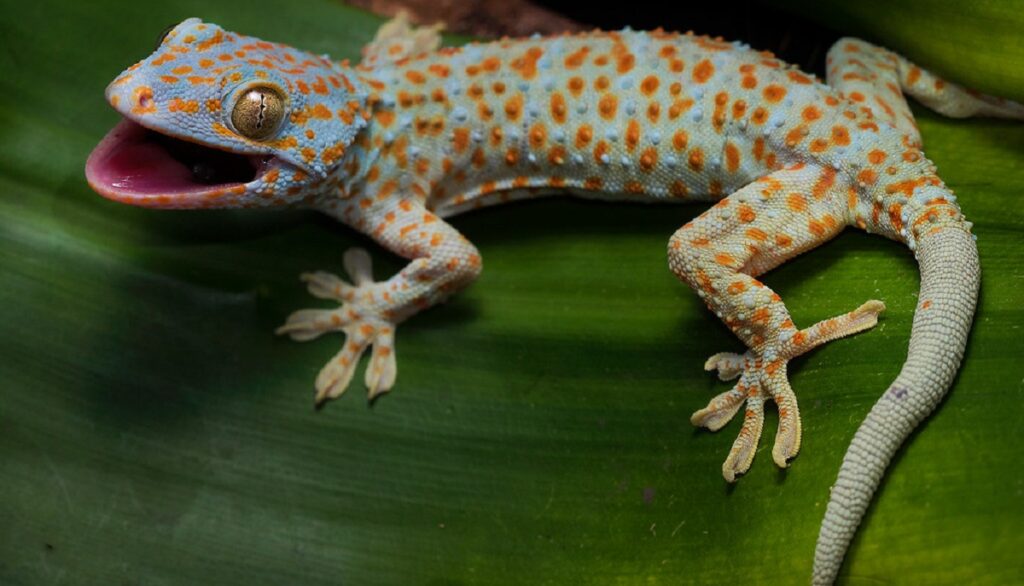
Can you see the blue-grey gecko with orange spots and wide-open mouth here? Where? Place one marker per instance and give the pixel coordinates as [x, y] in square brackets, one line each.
[414, 135]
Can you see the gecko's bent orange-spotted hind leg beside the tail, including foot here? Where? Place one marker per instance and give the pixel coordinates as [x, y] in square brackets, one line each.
[719, 254]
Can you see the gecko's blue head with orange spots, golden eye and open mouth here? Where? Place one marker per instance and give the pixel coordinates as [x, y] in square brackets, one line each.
[216, 119]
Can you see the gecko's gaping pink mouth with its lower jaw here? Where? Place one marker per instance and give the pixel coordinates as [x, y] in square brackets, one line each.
[136, 165]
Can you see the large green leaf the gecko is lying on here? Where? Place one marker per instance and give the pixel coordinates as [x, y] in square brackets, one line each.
[153, 431]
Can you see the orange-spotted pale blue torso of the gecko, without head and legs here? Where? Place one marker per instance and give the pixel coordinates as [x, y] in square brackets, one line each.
[629, 115]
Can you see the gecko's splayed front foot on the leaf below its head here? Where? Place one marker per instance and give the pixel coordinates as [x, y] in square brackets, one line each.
[362, 321]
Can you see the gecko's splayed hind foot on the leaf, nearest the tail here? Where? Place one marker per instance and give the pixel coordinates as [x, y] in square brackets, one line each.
[762, 378]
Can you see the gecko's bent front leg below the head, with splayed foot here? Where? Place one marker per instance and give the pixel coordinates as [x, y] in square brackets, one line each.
[443, 263]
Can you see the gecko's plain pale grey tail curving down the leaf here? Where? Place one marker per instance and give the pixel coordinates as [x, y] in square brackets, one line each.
[950, 282]
